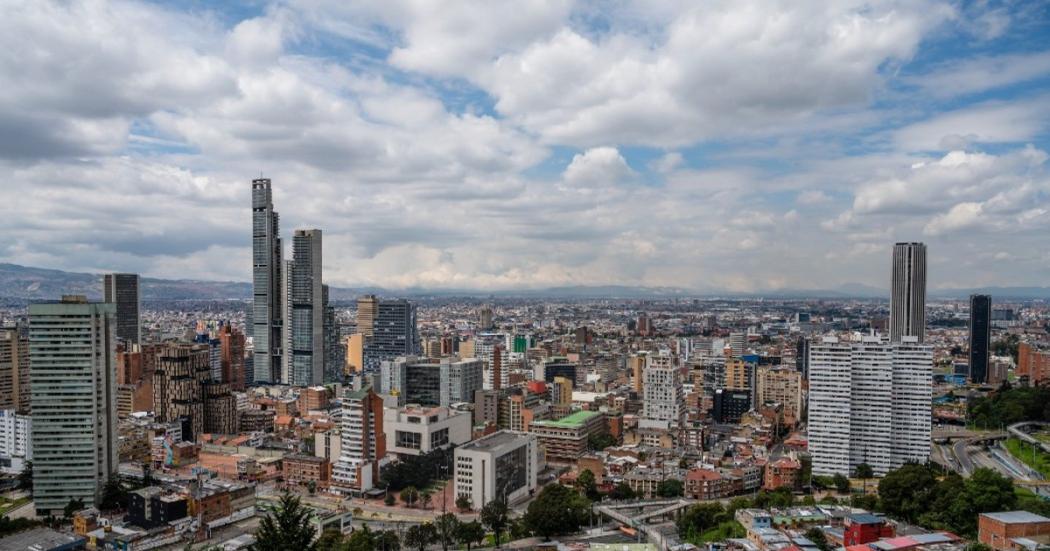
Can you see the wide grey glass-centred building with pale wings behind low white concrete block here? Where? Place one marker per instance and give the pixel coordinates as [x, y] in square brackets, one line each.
[433, 383]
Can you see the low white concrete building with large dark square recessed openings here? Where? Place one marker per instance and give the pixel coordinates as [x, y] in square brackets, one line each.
[414, 431]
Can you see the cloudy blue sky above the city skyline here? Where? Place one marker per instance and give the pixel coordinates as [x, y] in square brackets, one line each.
[523, 144]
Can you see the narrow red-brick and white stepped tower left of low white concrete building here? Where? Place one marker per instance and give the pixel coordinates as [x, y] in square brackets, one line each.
[363, 442]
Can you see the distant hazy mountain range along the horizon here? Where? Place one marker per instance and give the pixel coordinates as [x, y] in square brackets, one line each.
[28, 284]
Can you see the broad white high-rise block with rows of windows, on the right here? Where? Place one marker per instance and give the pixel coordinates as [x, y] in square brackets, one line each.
[870, 402]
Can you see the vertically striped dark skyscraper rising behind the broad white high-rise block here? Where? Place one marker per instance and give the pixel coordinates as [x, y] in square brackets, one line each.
[908, 302]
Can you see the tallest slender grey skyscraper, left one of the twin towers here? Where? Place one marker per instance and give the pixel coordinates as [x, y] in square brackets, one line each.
[267, 267]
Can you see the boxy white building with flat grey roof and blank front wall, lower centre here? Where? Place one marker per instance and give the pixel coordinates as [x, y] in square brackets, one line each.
[503, 465]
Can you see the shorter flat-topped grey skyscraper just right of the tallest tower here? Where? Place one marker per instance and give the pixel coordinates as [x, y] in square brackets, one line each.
[307, 310]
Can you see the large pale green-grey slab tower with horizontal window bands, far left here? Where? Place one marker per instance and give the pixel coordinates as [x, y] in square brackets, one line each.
[74, 385]
